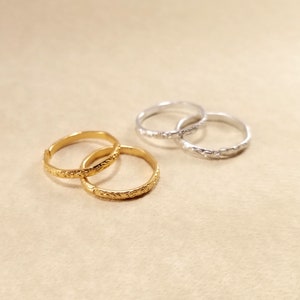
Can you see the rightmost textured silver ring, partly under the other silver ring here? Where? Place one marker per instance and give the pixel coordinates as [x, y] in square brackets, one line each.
[225, 152]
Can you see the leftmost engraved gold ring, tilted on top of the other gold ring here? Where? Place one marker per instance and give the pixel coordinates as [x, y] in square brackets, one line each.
[83, 172]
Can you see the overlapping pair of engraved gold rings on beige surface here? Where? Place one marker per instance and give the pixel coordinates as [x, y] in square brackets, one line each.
[110, 155]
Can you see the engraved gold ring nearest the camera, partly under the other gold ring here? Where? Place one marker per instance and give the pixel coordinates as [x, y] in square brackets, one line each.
[127, 194]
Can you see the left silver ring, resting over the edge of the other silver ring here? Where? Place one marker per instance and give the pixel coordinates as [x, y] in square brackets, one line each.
[199, 117]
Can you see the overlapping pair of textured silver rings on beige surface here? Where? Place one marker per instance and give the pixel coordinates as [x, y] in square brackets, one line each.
[195, 120]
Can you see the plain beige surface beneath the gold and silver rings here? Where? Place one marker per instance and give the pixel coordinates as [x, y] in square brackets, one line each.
[211, 229]
